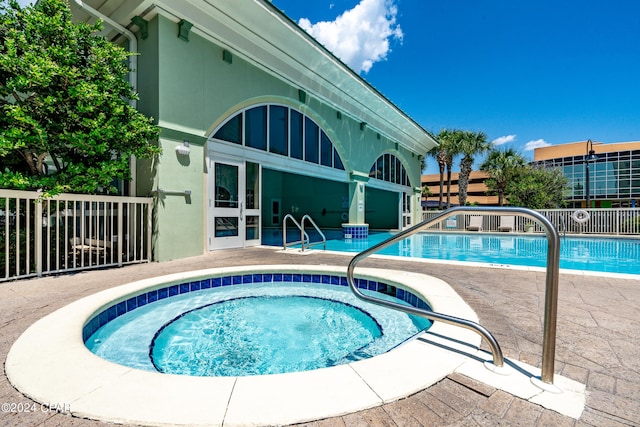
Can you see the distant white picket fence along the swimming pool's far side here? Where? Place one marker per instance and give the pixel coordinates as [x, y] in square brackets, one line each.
[570, 221]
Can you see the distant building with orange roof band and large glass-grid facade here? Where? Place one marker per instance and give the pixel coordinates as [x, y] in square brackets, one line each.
[614, 173]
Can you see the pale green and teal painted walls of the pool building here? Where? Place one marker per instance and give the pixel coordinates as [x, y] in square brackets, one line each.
[190, 91]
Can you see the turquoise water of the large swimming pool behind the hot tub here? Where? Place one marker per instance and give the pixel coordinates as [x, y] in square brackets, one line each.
[607, 255]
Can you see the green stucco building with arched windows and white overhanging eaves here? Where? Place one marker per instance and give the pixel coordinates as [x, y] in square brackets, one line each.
[258, 120]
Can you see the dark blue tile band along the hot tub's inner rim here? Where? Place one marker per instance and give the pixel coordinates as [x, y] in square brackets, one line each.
[132, 303]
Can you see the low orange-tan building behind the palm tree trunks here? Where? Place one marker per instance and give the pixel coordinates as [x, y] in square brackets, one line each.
[476, 192]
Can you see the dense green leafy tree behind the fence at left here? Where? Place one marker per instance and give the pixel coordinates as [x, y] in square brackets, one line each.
[66, 124]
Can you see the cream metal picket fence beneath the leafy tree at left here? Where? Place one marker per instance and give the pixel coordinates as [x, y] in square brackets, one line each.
[71, 232]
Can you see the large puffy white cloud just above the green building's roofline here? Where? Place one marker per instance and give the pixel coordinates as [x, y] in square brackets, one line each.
[360, 36]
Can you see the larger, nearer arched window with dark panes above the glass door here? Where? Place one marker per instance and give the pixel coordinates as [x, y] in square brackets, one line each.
[281, 130]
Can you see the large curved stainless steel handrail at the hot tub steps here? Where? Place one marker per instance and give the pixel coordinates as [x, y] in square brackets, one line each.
[551, 292]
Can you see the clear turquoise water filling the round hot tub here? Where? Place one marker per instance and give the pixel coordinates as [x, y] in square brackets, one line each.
[253, 330]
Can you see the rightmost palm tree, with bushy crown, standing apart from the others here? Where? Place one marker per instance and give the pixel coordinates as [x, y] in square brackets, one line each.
[502, 166]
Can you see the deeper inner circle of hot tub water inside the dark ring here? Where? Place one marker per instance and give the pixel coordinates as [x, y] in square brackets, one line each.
[262, 335]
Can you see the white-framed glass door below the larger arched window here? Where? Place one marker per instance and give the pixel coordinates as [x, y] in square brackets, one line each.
[234, 210]
